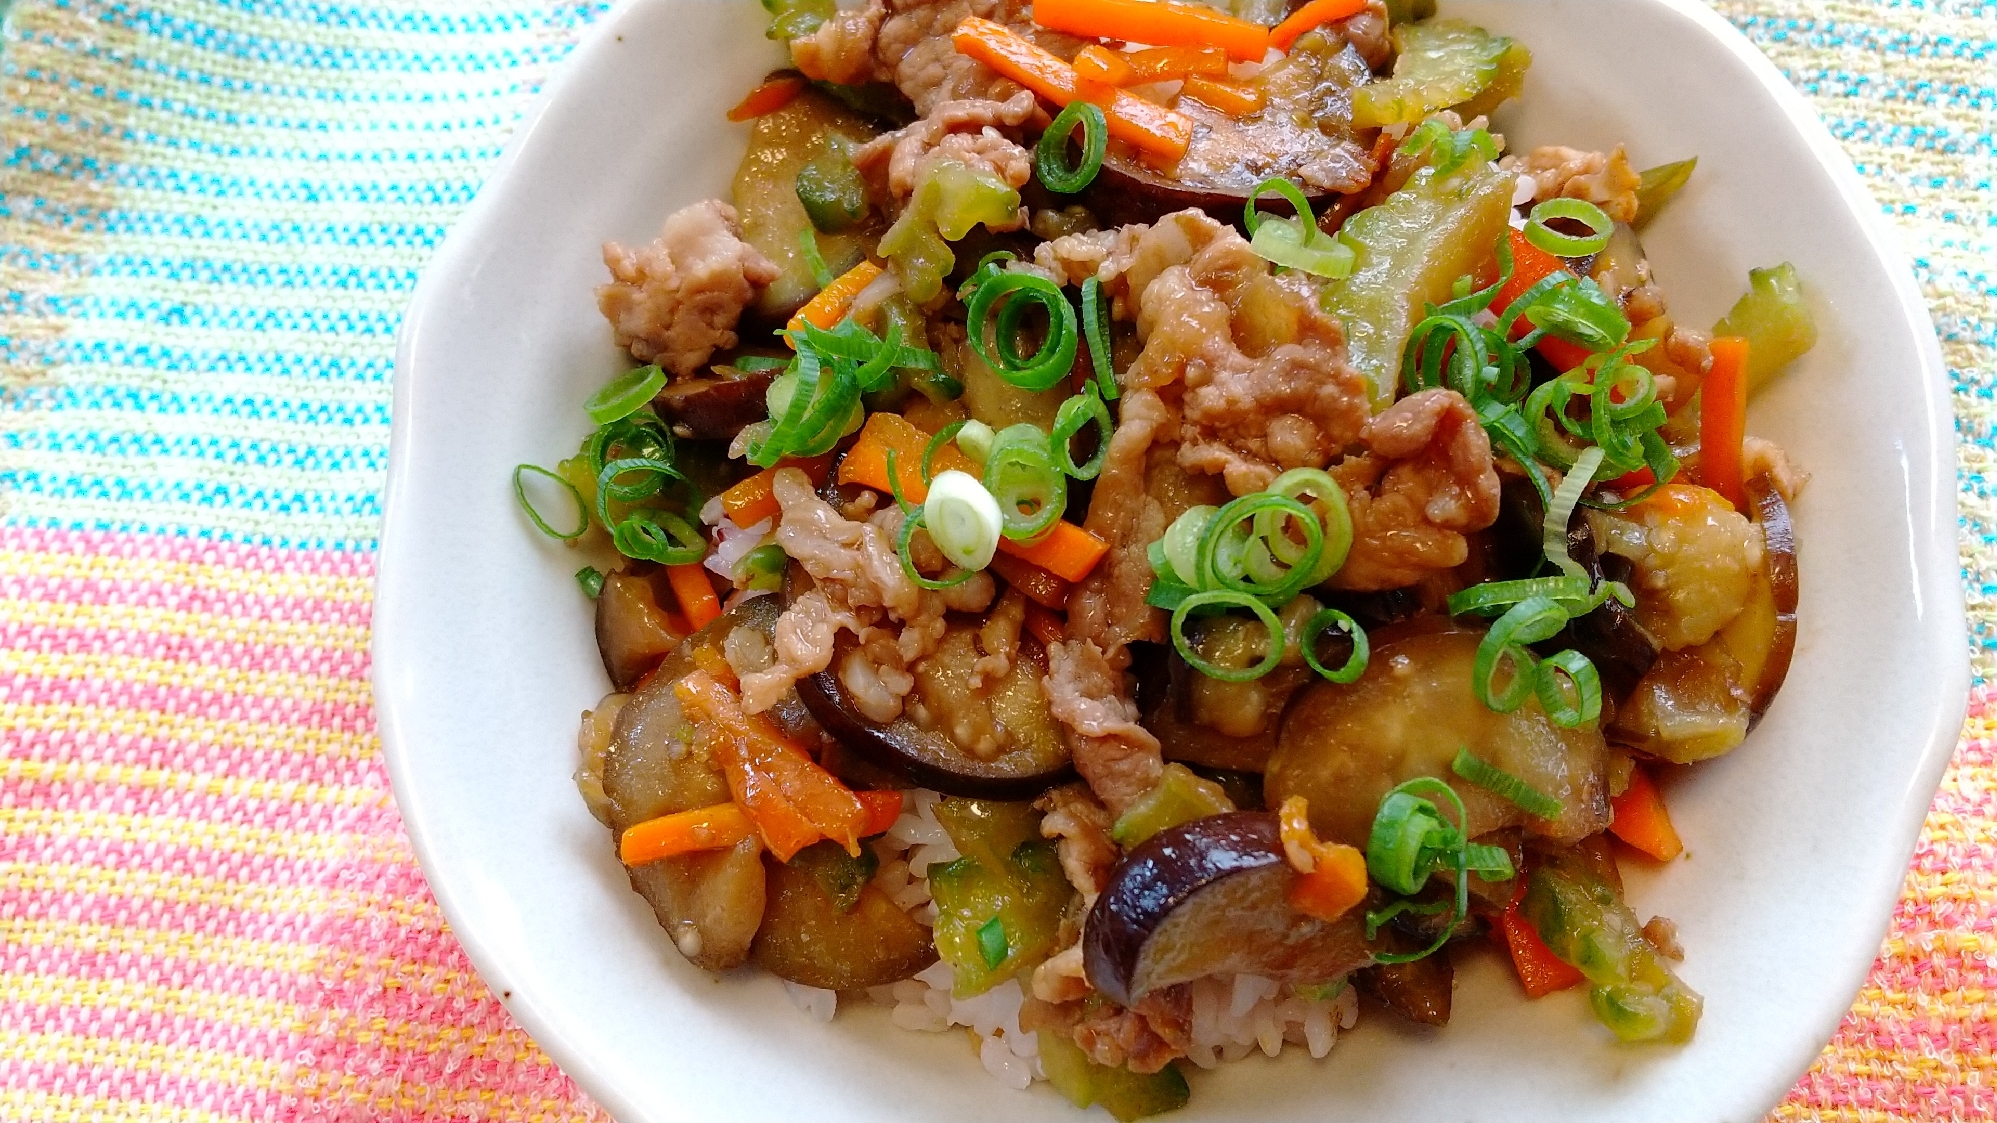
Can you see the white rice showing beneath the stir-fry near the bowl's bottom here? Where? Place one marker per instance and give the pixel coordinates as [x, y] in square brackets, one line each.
[1231, 1016]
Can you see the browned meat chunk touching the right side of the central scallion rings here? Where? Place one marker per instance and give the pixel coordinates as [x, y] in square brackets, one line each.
[1425, 485]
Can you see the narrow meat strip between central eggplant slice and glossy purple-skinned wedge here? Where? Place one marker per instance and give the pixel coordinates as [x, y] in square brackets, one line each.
[1117, 756]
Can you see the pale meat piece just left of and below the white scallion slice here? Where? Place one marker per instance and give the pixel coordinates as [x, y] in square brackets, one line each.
[860, 588]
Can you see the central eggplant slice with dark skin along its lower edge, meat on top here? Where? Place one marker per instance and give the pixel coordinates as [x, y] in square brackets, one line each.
[999, 742]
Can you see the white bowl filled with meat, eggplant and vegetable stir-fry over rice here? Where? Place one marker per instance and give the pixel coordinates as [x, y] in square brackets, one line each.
[1109, 545]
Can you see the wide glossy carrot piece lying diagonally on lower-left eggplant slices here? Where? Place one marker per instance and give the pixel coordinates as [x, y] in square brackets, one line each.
[792, 800]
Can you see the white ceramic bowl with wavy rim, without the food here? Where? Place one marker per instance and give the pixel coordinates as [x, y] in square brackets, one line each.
[1796, 844]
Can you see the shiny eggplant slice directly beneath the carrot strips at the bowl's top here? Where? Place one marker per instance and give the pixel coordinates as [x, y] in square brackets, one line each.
[1305, 135]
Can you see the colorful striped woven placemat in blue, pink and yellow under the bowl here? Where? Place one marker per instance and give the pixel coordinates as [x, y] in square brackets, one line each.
[211, 221]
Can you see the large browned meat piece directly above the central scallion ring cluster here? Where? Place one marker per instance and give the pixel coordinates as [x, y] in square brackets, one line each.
[1265, 369]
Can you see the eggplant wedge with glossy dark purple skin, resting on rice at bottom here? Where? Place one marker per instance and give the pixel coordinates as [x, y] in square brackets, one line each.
[1209, 898]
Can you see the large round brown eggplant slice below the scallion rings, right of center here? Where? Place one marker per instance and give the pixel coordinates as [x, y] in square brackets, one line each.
[1413, 710]
